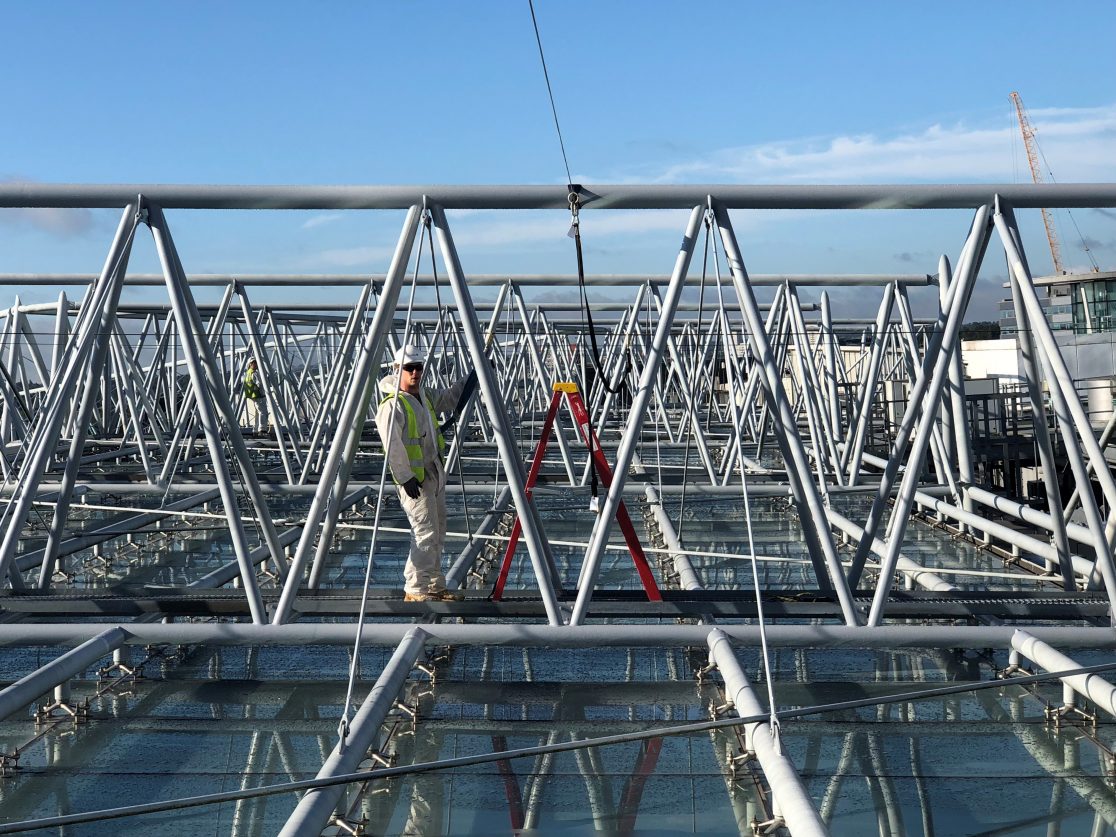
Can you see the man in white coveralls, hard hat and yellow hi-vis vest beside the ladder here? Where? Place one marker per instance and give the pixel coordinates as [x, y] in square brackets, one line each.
[415, 446]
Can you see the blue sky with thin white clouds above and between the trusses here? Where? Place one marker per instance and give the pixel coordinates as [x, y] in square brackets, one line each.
[648, 93]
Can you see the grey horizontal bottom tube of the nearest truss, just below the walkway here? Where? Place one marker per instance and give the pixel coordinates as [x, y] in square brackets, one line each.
[536, 636]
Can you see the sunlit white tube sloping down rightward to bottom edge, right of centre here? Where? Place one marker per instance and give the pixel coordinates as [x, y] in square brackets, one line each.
[791, 800]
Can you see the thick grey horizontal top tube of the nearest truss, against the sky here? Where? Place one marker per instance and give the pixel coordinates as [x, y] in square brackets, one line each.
[1021, 196]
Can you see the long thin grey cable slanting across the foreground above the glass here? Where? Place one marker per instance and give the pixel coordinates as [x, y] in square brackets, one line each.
[687, 729]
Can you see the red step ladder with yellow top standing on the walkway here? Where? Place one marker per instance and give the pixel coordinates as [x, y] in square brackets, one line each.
[604, 473]
